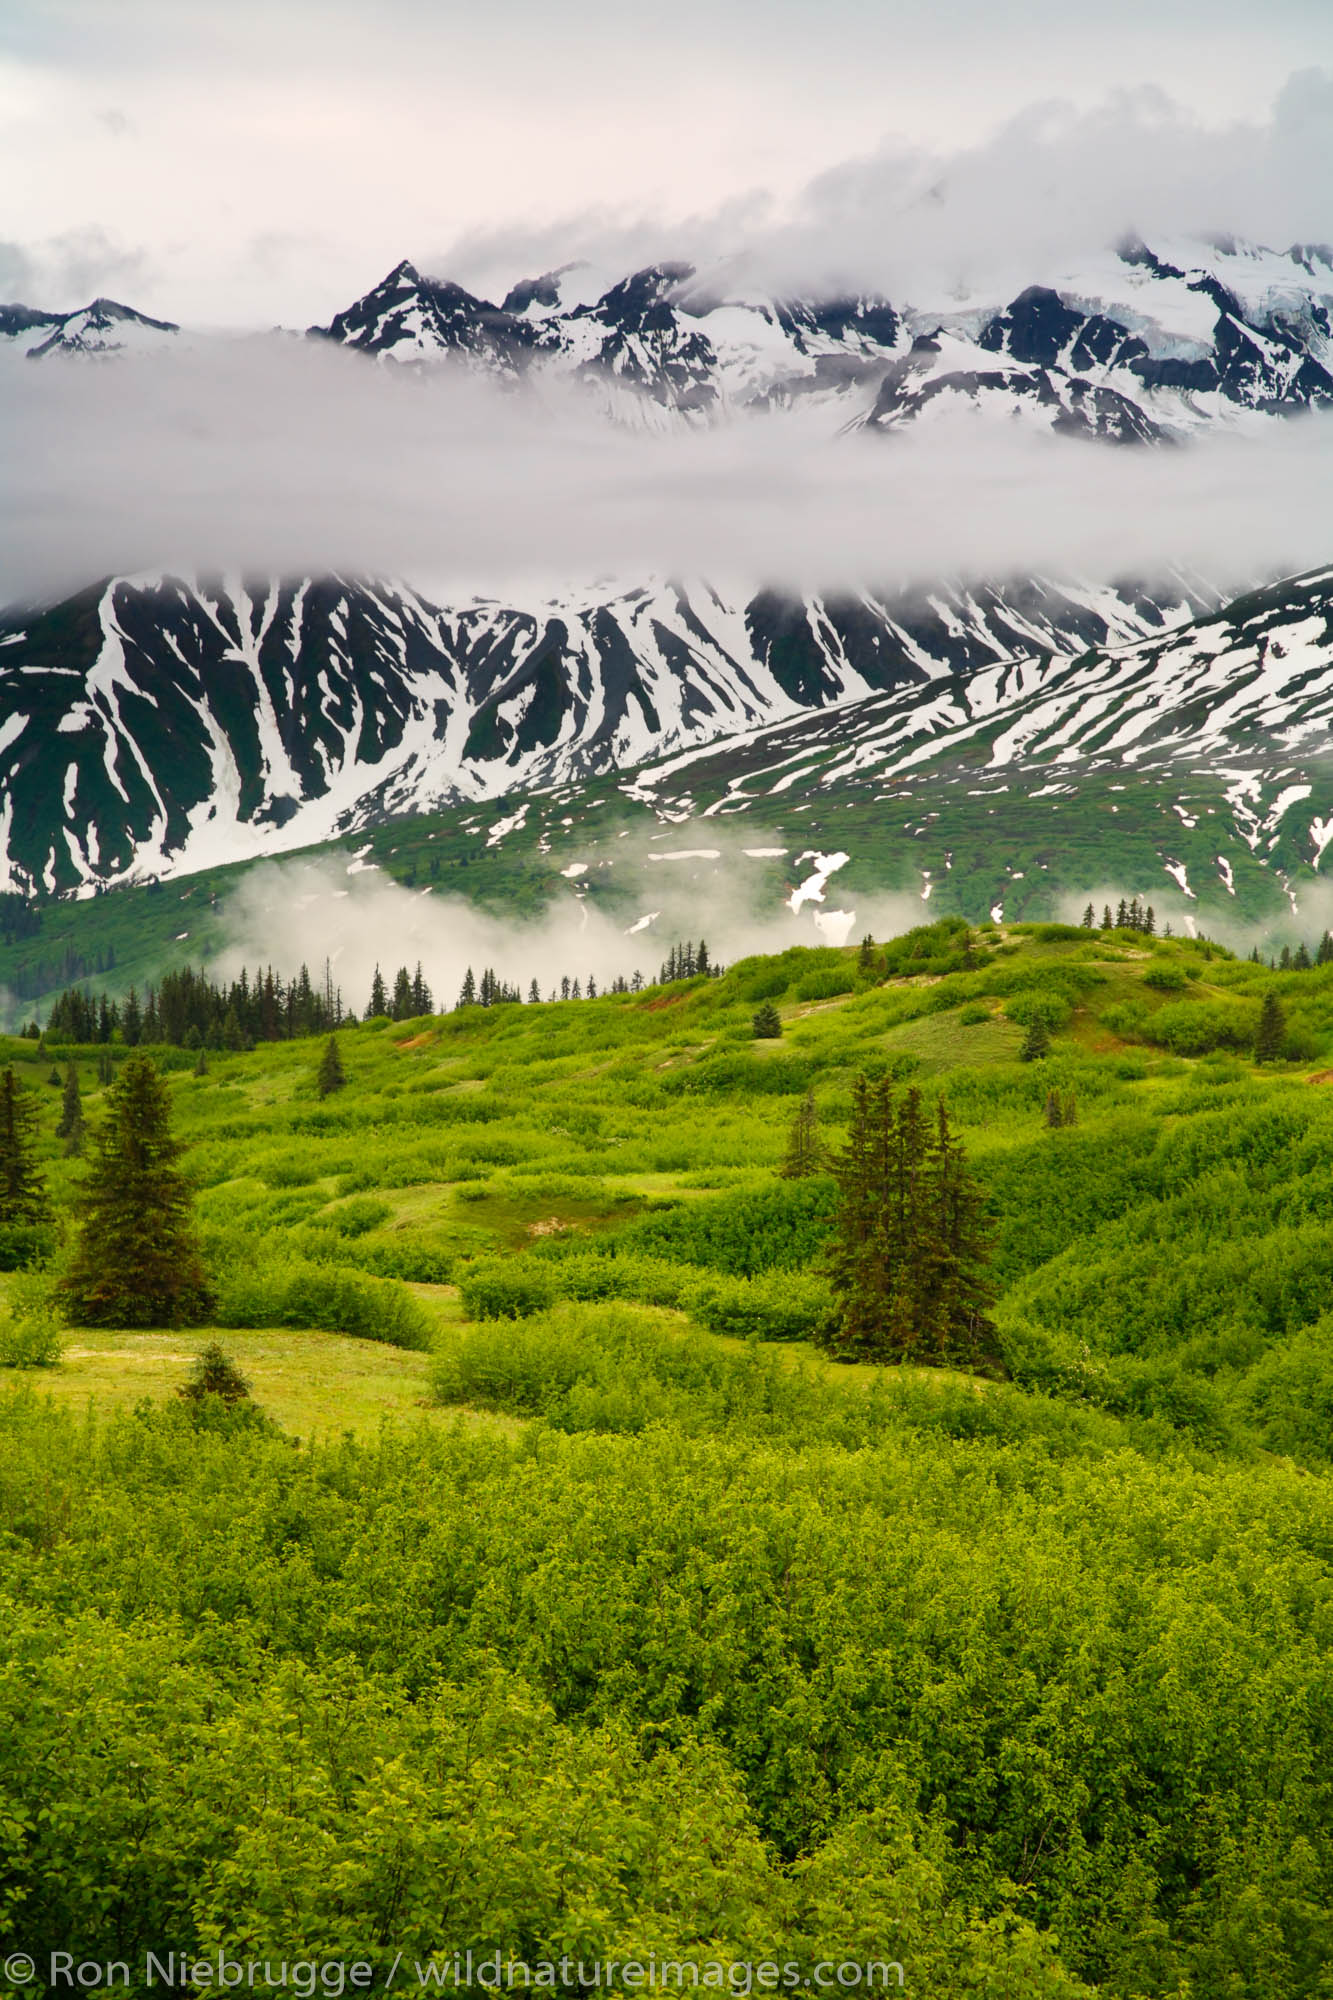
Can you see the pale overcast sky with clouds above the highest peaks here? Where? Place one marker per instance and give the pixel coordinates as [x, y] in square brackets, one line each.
[265, 161]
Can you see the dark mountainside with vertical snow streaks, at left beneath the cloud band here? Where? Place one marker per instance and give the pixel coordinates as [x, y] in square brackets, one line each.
[153, 727]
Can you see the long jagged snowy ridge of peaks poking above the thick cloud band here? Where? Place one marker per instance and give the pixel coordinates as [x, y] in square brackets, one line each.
[1138, 347]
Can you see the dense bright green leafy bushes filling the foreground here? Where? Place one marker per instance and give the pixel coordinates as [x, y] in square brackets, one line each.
[668, 1685]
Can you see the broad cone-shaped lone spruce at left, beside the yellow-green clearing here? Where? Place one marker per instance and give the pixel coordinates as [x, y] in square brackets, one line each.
[137, 1257]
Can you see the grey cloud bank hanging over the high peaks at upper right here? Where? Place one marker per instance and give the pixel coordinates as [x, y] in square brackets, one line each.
[1052, 187]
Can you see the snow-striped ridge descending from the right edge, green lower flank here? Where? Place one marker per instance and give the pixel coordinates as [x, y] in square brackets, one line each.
[1196, 769]
